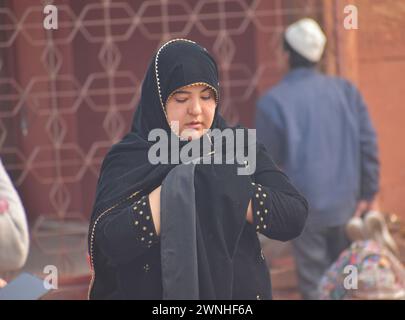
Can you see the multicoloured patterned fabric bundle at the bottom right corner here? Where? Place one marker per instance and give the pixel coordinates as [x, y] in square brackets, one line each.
[376, 272]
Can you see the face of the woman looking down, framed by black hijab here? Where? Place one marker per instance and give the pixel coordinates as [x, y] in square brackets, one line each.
[194, 108]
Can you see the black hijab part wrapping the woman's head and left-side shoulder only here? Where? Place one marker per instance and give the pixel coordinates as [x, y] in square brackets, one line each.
[126, 168]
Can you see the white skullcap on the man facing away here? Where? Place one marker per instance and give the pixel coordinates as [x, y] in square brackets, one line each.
[306, 38]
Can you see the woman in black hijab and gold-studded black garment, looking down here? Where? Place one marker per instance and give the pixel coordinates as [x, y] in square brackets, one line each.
[185, 231]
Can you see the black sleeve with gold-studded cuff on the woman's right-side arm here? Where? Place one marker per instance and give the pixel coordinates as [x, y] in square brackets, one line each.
[279, 211]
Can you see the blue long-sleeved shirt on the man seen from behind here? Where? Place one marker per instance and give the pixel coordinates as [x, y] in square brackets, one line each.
[318, 130]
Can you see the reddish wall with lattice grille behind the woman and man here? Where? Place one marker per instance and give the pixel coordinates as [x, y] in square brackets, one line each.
[67, 95]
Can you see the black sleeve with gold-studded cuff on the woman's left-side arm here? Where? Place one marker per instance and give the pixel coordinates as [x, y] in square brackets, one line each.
[126, 233]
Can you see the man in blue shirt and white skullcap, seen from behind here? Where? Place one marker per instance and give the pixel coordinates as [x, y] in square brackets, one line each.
[318, 130]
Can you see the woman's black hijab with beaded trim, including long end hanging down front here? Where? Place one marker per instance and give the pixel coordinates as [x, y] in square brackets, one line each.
[126, 174]
